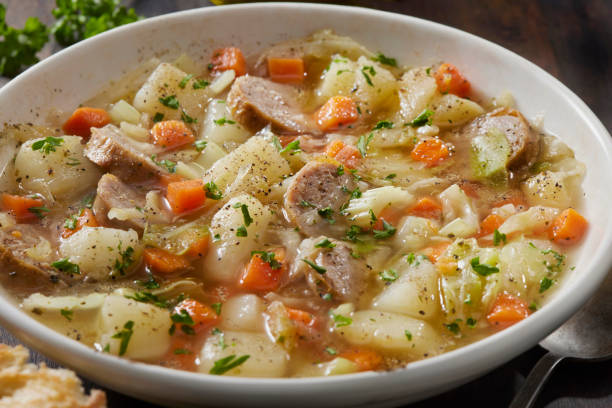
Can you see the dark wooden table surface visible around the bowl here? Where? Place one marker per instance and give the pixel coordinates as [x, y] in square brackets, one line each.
[570, 39]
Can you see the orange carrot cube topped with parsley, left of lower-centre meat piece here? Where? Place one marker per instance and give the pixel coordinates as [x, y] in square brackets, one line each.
[259, 275]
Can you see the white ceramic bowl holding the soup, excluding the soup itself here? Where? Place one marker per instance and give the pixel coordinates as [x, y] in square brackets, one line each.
[79, 72]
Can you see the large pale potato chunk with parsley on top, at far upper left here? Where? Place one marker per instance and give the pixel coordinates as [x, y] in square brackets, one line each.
[64, 172]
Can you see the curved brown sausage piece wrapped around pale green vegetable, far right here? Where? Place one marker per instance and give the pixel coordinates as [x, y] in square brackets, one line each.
[524, 142]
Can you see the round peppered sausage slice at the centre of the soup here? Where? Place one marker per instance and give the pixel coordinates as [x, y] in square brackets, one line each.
[315, 196]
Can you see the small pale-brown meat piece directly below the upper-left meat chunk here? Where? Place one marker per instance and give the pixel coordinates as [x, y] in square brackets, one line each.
[113, 193]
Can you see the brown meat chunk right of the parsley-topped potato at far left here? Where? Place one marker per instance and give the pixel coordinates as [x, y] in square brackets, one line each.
[116, 153]
